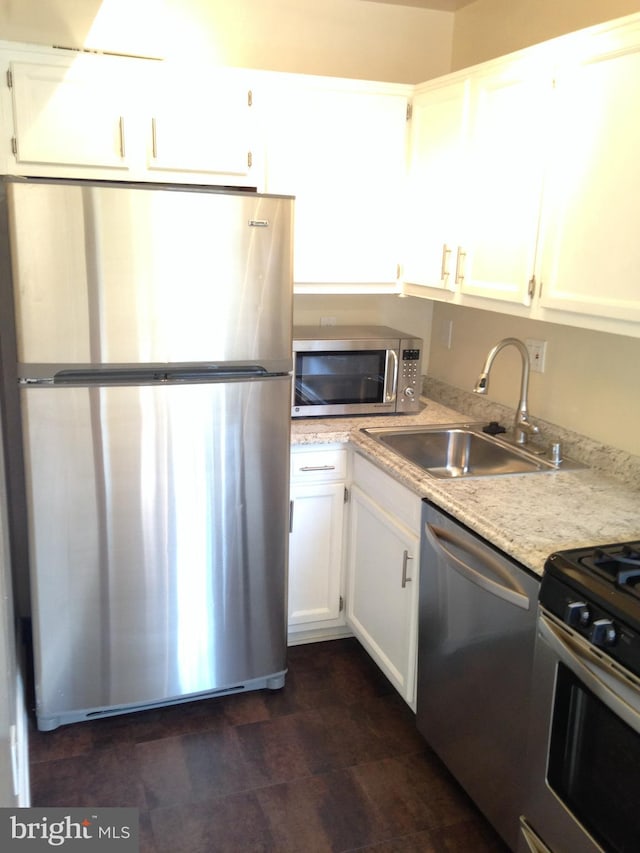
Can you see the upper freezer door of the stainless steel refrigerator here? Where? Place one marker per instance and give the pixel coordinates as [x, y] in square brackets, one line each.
[146, 274]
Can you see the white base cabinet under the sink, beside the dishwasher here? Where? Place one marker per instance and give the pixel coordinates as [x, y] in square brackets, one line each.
[382, 572]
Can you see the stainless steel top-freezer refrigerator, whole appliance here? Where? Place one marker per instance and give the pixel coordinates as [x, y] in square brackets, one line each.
[153, 338]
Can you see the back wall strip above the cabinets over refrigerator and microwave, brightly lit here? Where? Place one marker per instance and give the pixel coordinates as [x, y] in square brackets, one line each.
[343, 38]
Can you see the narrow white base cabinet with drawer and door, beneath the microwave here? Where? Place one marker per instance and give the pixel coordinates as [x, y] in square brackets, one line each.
[317, 492]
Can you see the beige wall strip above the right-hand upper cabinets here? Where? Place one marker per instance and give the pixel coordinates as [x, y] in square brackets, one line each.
[489, 28]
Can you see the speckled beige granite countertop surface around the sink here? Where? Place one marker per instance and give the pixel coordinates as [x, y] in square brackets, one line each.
[528, 516]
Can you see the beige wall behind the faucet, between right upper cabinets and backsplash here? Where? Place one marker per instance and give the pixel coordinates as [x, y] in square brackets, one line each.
[591, 382]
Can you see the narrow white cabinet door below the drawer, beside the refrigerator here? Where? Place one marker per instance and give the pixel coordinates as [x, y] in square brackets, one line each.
[315, 553]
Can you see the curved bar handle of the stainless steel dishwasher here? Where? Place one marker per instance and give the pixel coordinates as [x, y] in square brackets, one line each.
[508, 590]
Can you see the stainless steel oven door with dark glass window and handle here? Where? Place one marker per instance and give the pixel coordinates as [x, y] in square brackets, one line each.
[585, 745]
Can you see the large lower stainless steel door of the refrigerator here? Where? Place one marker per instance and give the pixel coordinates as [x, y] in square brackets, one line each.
[156, 571]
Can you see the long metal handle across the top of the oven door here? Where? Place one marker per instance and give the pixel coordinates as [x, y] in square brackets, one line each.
[596, 671]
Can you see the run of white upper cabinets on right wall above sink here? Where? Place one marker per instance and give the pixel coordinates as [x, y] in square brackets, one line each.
[521, 184]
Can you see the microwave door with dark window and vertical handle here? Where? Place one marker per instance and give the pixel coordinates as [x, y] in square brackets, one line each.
[344, 378]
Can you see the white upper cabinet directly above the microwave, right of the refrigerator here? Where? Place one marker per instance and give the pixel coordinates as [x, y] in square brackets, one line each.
[340, 148]
